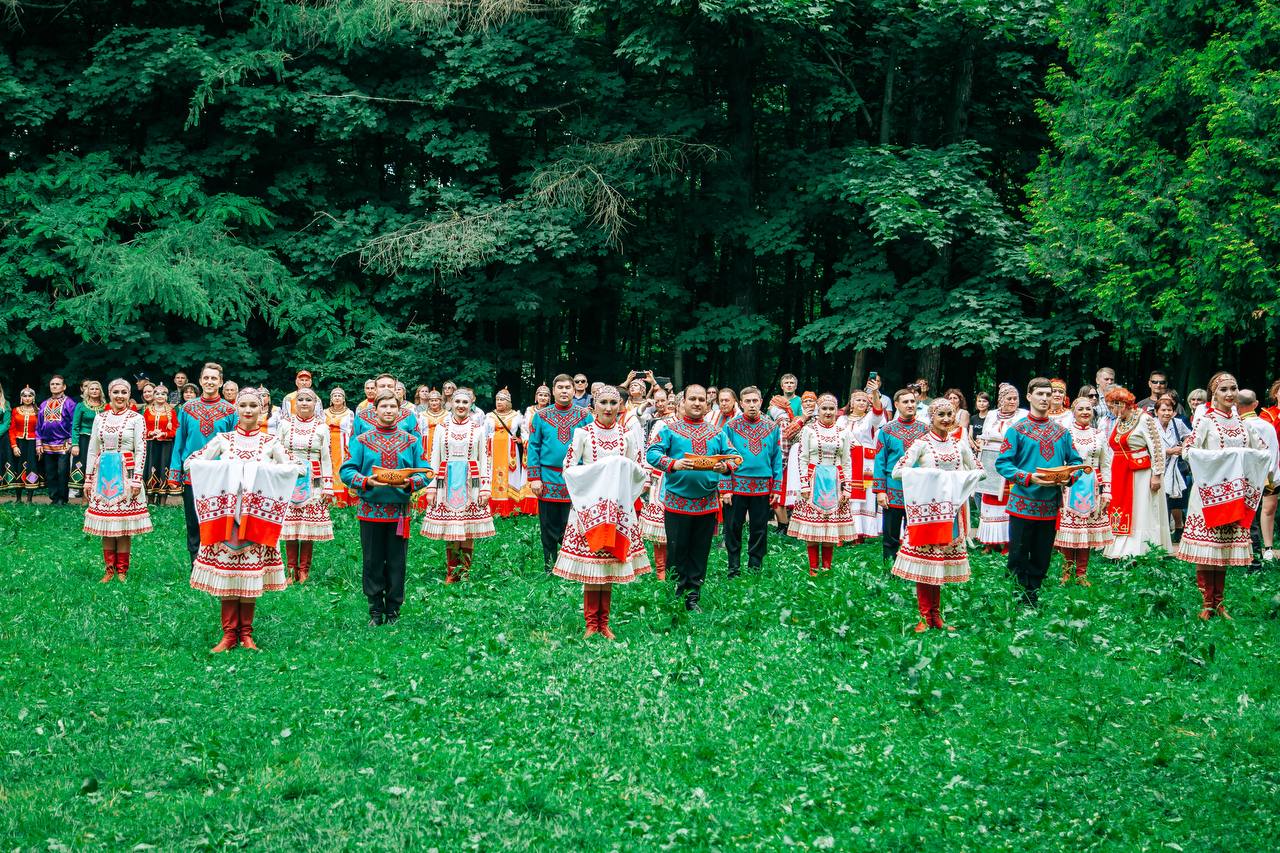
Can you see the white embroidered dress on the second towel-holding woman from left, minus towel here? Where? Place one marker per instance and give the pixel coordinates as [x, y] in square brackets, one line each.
[577, 559]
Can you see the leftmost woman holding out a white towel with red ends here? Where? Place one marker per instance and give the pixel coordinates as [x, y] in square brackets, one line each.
[240, 482]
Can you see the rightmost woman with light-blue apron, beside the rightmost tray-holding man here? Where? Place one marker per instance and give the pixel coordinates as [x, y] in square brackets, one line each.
[1085, 523]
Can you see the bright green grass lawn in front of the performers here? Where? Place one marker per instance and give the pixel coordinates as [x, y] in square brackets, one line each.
[790, 714]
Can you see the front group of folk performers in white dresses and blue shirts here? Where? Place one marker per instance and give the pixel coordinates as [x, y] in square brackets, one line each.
[257, 501]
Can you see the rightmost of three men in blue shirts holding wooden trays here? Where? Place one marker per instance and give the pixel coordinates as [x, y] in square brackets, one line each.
[1034, 444]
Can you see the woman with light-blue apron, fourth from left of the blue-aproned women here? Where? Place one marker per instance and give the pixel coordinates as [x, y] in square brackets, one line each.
[824, 518]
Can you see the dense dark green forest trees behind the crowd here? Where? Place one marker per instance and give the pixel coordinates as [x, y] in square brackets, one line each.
[495, 190]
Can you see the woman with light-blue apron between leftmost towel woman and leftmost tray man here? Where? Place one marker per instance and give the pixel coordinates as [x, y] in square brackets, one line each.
[307, 518]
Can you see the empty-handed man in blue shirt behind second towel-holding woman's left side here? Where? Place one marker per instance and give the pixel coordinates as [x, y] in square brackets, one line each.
[550, 439]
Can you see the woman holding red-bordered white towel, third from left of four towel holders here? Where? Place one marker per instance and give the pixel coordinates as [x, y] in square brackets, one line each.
[939, 475]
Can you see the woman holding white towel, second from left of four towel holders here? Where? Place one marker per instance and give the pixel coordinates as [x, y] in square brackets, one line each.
[604, 545]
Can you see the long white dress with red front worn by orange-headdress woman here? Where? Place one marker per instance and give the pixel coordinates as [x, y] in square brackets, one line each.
[1150, 527]
